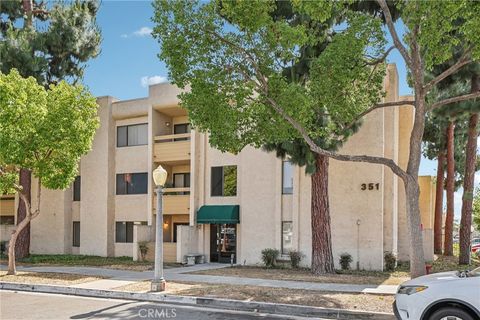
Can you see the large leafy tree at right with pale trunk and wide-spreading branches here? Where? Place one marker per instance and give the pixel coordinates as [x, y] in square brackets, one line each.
[231, 56]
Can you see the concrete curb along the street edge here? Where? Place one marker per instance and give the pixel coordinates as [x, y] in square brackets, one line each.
[252, 306]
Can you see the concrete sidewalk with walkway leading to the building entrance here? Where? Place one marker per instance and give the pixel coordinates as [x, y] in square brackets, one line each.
[117, 278]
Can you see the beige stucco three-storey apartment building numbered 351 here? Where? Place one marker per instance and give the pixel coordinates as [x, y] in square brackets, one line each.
[222, 205]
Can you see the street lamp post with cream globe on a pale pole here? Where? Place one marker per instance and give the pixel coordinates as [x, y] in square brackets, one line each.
[158, 282]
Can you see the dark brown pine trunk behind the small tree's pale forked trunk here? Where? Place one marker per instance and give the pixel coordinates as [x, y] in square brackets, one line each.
[22, 248]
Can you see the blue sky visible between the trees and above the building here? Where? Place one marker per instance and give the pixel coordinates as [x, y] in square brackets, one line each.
[128, 61]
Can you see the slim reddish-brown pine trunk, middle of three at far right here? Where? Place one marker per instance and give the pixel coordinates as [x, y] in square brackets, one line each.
[448, 245]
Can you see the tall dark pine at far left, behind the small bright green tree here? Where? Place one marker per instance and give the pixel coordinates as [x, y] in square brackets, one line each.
[50, 41]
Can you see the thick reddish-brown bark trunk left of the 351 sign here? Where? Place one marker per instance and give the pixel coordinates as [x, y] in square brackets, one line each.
[322, 258]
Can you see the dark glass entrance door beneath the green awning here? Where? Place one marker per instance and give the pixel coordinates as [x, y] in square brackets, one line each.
[223, 243]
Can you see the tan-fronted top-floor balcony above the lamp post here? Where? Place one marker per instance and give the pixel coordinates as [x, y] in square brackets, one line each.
[172, 148]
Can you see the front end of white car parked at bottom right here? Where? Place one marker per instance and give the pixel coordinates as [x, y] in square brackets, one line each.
[453, 295]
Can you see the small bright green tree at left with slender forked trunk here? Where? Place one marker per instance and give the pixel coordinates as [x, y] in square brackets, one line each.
[45, 131]
